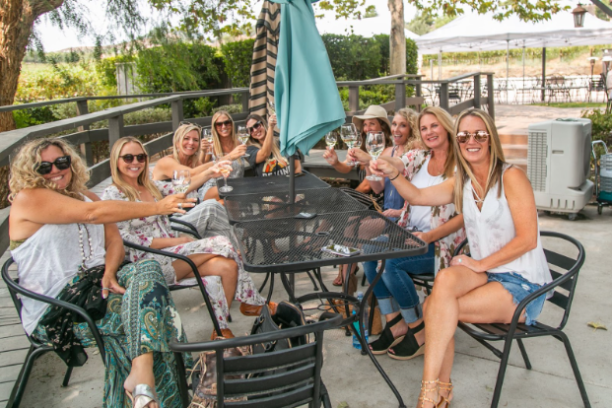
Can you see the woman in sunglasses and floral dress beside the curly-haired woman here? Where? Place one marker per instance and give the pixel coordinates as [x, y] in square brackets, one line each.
[214, 256]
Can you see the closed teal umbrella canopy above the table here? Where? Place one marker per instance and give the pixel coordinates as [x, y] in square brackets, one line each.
[306, 97]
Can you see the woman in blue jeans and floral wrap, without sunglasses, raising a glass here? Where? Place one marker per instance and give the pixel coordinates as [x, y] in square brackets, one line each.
[438, 226]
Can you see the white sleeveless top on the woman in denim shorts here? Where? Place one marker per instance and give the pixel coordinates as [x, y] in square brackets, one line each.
[491, 228]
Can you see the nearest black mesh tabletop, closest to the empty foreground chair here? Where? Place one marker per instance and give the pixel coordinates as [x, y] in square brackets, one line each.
[290, 244]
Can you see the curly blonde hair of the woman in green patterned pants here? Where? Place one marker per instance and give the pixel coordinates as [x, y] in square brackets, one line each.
[24, 175]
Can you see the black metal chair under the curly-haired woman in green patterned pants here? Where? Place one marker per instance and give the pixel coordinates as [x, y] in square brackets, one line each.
[38, 348]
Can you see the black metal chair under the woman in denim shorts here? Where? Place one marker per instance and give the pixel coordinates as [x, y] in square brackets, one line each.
[564, 270]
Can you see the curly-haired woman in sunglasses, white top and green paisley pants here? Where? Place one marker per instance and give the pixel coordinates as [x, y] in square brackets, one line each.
[67, 246]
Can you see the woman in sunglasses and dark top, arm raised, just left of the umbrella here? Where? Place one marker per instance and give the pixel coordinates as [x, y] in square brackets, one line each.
[264, 153]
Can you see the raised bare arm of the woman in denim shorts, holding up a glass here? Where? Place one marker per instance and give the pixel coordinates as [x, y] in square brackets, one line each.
[439, 194]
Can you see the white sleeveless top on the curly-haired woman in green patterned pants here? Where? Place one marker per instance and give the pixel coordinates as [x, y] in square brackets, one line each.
[49, 259]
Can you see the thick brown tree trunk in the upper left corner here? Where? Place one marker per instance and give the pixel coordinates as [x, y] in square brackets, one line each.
[16, 22]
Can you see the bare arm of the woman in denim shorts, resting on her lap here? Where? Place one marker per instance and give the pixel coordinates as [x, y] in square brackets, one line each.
[524, 214]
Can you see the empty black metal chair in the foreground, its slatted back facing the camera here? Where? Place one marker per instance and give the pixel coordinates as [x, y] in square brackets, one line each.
[299, 382]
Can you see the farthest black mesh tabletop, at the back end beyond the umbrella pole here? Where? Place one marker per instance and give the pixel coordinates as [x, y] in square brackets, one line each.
[254, 185]
